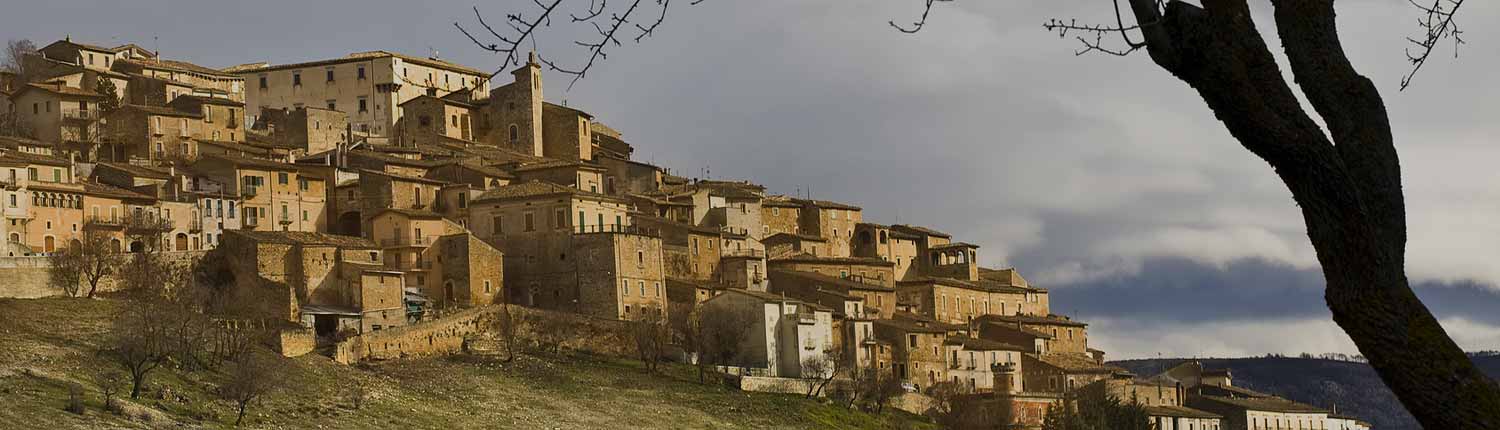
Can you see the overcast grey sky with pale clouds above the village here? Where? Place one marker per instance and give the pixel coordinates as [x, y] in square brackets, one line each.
[1100, 178]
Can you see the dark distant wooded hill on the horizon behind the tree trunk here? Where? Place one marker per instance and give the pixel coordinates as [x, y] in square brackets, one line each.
[1354, 387]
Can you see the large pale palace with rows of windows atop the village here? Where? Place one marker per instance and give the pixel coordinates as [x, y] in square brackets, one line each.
[368, 86]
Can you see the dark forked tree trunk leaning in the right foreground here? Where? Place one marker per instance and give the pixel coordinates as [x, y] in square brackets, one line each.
[1346, 182]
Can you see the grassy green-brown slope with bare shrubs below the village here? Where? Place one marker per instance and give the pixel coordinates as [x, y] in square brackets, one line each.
[49, 344]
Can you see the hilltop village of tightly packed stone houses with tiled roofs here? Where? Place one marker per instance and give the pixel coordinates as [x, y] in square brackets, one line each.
[379, 193]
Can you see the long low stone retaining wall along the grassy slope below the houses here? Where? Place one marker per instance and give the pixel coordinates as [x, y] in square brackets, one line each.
[449, 335]
